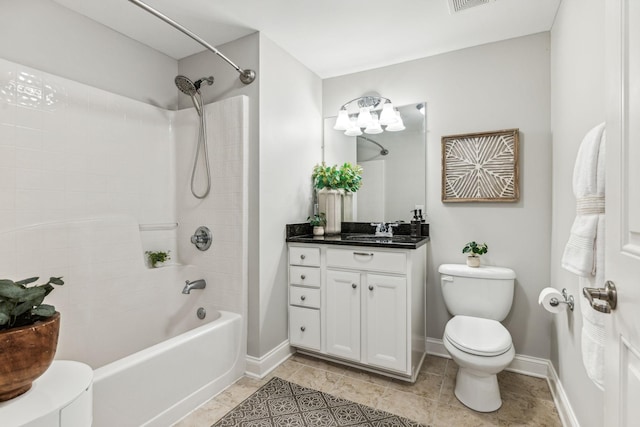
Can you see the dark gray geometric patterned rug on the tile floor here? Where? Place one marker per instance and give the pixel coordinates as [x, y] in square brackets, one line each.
[280, 403]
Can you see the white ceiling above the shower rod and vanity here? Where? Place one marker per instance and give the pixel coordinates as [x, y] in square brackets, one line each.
[331, 37]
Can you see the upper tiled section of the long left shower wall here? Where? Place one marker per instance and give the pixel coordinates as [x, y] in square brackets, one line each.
[70, 150]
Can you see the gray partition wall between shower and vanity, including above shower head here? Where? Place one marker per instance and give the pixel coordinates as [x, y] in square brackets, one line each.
[285, 139]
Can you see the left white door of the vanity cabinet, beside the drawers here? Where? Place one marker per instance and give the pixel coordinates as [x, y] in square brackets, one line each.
[343, 314]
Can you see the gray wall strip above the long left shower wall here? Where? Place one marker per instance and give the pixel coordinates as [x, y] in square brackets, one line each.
[44, 35]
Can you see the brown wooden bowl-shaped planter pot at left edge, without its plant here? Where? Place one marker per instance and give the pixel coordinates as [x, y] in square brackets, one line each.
[25, 354]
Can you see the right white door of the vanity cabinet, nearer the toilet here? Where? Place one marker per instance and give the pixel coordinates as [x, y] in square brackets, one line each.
[386, 317]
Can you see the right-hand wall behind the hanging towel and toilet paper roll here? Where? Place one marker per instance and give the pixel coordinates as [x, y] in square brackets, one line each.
[577, 104]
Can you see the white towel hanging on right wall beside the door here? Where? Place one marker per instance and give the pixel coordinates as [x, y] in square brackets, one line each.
[584, 252]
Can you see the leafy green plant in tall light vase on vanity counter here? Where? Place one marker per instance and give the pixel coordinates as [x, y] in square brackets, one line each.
[326, 180]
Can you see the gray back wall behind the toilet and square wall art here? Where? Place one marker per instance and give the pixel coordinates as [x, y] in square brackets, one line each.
[490, 87]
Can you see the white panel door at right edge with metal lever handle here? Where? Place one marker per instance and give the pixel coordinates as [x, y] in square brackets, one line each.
[622, 254]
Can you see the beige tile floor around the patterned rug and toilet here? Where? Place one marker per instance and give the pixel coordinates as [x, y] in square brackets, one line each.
[430, 401]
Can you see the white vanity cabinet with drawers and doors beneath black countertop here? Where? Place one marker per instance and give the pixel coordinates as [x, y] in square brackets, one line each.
[369, 306]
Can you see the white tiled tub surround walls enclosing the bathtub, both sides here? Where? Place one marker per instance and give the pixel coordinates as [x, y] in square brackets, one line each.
[81, 170]
